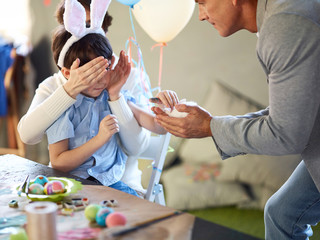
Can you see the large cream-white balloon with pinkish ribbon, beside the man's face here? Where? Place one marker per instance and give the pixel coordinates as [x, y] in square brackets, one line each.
[162, 20]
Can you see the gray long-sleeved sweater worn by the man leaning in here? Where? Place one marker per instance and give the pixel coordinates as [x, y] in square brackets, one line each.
[288, 49]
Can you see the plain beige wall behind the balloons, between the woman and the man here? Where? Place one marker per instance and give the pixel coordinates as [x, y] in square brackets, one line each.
[195, 57]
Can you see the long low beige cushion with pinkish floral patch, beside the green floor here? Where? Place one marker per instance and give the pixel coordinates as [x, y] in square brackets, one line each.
[189, 186]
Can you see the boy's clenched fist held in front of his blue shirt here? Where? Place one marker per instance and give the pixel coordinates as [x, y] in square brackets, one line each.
[108, 126]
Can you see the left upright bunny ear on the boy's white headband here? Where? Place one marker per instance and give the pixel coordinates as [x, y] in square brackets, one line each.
[74, 18]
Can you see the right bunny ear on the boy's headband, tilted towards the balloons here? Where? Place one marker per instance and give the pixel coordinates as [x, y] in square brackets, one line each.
[98, 9]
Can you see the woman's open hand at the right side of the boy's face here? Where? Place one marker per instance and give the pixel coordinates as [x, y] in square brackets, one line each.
[118, 76]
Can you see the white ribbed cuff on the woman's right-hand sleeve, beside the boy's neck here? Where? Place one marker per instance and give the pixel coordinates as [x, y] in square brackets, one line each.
[121, 109]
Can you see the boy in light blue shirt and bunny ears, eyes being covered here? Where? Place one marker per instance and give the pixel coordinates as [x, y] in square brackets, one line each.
[83, 141]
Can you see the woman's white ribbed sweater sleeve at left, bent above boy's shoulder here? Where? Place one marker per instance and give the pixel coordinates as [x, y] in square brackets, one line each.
[47, 105]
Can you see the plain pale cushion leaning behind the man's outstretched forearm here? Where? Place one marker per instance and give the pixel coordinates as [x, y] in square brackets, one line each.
[220, 101]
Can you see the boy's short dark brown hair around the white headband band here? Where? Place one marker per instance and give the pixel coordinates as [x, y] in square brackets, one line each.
[88, 47]
